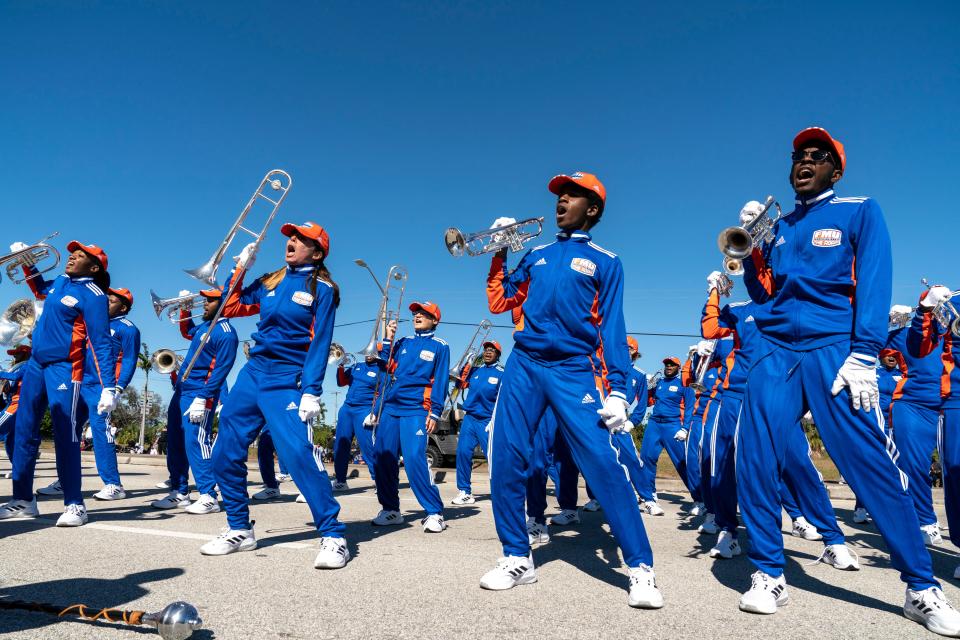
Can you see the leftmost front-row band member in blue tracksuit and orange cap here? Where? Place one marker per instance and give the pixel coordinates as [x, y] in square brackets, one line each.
[75, 310]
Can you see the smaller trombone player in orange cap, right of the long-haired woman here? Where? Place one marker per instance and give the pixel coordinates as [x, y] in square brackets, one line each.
[411, 405]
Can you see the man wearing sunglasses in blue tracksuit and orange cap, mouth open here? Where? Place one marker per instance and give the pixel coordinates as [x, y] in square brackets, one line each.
[823, 286]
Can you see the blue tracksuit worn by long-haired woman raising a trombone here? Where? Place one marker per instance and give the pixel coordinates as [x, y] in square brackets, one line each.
[288, 359]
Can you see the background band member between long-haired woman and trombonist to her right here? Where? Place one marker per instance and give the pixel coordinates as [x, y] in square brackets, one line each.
[361, 381]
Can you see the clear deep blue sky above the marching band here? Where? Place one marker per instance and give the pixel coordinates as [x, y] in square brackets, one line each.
[145, 126]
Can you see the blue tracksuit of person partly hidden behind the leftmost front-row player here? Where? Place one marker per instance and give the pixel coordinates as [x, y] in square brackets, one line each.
[125, 345]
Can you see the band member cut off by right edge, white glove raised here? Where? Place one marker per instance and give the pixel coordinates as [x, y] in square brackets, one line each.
[927, 336]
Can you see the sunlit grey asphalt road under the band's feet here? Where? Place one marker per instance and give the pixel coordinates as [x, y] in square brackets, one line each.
[403, 583]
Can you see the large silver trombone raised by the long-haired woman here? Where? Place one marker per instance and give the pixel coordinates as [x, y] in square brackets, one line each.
[279, 181]
